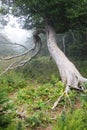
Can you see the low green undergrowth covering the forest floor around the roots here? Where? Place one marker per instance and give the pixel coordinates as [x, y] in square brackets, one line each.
[28, 94]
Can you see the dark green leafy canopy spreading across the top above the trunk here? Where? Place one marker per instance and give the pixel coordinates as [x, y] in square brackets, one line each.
[62, 14]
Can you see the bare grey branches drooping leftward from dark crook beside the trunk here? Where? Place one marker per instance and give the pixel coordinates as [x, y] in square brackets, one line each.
[28, 53]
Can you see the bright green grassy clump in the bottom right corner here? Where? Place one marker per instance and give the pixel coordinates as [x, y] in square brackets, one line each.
[76, 120]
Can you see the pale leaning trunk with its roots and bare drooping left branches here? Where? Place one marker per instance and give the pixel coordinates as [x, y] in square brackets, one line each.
[68, 72]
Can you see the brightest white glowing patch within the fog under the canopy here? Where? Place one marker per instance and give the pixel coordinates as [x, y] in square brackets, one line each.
[15, 33]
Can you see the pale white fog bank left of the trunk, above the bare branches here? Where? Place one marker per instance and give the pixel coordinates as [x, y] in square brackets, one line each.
[12, 32]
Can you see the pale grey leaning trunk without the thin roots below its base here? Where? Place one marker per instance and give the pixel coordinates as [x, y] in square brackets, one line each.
[68, 72]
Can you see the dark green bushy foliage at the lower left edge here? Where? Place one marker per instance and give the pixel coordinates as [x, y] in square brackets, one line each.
[5, 119]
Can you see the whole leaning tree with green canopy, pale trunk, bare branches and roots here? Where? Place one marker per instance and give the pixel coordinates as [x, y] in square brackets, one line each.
[51, 17]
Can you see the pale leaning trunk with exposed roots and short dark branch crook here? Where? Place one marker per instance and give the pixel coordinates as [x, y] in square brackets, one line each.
[68, 72]
